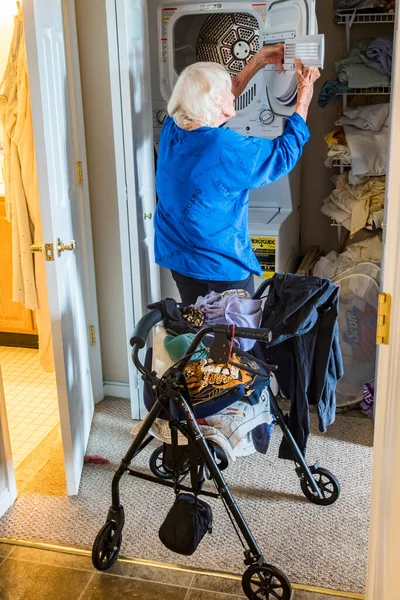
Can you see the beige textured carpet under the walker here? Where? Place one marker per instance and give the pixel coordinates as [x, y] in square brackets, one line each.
[322, 546]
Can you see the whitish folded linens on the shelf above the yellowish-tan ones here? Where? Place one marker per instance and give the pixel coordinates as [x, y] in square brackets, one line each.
[367, 137]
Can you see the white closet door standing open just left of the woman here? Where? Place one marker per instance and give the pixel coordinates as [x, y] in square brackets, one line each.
[133, 141]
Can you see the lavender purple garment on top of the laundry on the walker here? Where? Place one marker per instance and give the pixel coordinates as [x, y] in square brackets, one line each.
[231, 310]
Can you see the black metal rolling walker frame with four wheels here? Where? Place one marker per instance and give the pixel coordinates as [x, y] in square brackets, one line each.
[260, 580]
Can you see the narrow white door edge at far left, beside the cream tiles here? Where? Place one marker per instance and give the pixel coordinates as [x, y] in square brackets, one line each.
[8, 490]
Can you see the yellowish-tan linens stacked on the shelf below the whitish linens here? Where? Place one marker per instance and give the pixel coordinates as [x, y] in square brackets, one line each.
[356, 206]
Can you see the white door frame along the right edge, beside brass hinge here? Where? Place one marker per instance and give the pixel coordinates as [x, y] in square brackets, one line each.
[382, 575]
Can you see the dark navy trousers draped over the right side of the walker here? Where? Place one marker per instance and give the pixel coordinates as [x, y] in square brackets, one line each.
[302, 314]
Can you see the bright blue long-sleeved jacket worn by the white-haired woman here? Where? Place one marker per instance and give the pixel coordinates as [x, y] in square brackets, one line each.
[203, 181]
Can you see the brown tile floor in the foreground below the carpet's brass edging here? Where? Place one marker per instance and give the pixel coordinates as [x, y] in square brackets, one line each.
[44, 575]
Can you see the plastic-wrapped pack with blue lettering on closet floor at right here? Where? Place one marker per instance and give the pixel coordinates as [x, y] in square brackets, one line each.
[358, 306]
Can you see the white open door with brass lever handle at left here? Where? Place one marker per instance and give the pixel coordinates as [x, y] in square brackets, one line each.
[67, 243]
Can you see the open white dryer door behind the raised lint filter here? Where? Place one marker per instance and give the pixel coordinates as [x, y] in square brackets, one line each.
[285, 21]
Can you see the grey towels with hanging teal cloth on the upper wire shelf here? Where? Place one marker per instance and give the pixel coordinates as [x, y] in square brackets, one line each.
[366, 66]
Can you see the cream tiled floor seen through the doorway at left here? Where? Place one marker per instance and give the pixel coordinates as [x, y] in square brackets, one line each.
[31, 399]
